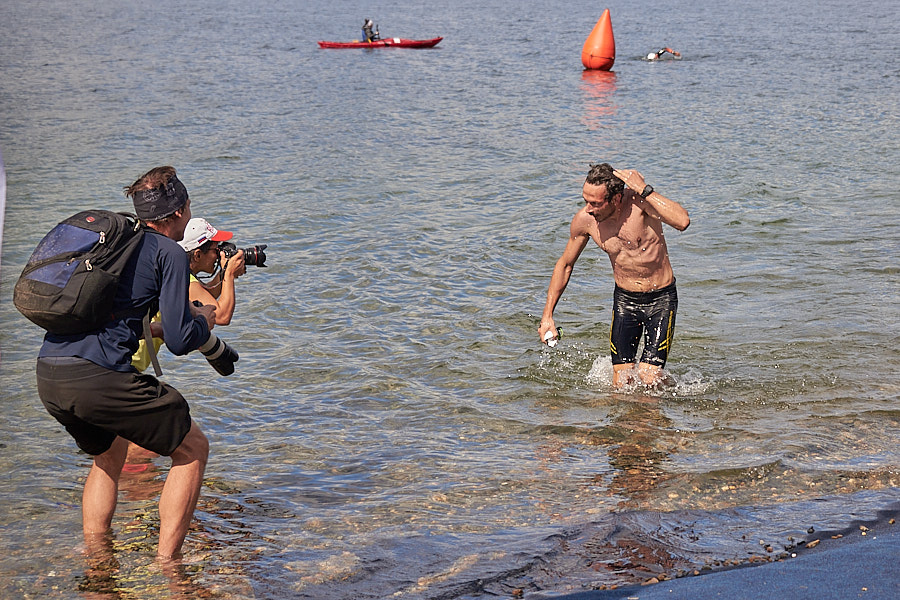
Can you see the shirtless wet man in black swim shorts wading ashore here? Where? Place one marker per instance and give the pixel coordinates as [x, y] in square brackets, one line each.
[627, 225]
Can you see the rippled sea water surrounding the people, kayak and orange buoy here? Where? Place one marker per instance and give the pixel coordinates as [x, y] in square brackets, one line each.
[394, 429]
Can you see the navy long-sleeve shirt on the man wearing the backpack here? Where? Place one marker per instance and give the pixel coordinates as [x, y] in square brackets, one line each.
[159, 269]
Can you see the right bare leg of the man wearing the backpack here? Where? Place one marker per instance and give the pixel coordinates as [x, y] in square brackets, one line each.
[181, 491]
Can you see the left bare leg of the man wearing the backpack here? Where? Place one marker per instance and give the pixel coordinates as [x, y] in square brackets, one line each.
[101, 490]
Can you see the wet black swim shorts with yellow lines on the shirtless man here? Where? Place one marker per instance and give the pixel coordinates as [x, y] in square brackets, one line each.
[650, 313]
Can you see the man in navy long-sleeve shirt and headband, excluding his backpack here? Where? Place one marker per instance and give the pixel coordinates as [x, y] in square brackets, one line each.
[88, 384]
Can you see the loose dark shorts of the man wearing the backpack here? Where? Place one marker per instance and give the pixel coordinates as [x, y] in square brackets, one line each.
[96, 404]
